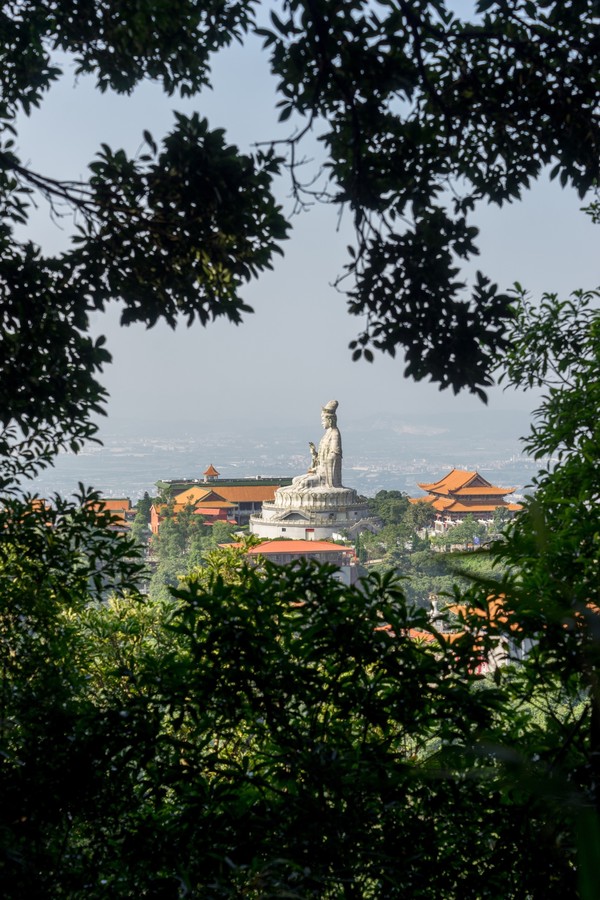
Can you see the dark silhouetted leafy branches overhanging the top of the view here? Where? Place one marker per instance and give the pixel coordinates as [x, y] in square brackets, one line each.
[409, 99]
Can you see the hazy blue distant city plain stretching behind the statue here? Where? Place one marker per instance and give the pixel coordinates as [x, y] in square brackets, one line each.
[379, 454]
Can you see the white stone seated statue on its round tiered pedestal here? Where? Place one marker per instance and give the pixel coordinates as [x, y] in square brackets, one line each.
[316, 505]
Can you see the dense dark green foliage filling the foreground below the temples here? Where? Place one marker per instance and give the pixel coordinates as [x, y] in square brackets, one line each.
[267, 737]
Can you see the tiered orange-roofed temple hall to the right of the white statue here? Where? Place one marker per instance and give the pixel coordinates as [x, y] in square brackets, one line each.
[460, 494]
